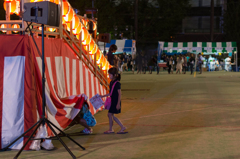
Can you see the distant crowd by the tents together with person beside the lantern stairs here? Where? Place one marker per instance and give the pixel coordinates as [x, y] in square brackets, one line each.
[144, 62]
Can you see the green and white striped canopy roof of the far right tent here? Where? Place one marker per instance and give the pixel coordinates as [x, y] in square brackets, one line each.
[197, 47]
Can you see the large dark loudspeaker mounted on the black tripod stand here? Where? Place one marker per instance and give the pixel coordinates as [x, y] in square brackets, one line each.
[47, 13]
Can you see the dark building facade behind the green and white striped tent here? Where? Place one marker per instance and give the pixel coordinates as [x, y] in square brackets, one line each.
[196, 25]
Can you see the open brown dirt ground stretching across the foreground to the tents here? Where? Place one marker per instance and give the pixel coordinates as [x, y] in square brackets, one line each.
[167, 116]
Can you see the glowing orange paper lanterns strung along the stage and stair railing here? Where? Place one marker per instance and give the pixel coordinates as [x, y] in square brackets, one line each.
[78, 26]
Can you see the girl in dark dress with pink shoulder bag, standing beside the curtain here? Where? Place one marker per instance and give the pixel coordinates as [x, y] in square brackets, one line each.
[115, 101]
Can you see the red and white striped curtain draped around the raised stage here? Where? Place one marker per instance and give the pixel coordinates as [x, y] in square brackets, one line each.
[68, 84]
